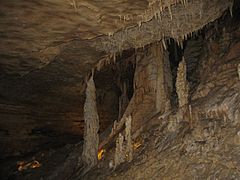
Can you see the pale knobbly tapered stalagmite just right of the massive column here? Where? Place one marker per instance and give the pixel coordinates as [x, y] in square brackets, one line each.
[182, 84]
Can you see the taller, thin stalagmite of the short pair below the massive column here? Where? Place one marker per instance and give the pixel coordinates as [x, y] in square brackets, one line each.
[128, 138]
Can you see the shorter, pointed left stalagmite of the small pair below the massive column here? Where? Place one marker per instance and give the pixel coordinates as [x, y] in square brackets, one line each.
[119, 156]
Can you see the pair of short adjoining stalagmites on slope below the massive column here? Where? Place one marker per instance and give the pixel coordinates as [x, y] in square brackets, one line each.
[124, 150]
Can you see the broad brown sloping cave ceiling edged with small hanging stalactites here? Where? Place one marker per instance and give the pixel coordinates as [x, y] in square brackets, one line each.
[47, 47]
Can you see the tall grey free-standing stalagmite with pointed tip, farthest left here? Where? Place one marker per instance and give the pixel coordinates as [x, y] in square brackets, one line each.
[91, 139]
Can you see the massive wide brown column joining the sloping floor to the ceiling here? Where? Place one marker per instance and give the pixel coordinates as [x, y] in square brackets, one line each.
[152, 85]
